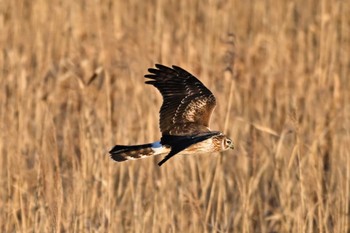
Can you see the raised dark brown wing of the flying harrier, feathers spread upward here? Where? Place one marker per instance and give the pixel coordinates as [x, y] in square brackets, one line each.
[187, 103]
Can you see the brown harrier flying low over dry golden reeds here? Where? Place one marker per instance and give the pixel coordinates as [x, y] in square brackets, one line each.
[184, 119]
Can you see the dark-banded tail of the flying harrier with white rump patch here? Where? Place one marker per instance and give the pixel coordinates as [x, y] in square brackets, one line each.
[121, 153]
